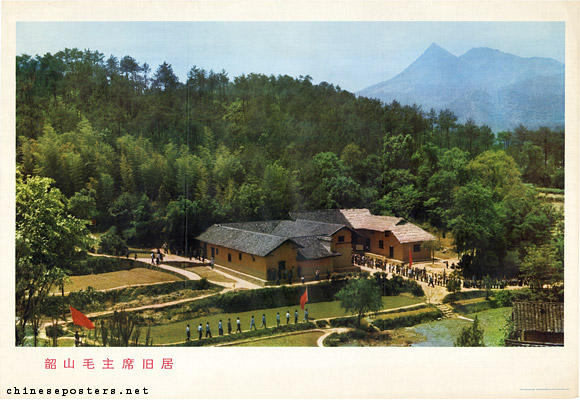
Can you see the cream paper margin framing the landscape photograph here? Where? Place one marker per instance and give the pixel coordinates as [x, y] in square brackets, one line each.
[382, 372]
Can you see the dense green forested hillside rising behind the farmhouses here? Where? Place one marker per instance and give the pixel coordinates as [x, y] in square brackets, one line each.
[152, 159]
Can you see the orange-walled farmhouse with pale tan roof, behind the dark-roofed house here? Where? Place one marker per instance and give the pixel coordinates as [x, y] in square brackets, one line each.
[391, 237]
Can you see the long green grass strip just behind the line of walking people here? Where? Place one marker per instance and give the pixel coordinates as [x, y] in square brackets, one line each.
[175, 332]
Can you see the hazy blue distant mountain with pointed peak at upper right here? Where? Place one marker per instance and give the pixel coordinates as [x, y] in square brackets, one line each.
[491, 87]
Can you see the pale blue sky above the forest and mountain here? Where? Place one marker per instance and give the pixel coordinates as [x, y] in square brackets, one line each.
[352, 55]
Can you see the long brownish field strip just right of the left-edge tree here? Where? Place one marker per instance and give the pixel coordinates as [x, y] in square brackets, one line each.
[109, 280]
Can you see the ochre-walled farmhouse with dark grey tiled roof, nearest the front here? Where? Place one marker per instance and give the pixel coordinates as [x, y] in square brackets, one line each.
[272, 250]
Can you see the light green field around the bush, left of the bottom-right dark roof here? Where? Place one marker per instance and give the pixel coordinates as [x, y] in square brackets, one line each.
[443, 333]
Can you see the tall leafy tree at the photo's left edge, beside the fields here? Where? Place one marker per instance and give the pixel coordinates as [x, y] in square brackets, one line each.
[48, 240]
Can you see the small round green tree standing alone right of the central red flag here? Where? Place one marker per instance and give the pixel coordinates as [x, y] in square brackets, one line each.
[360, 296]
